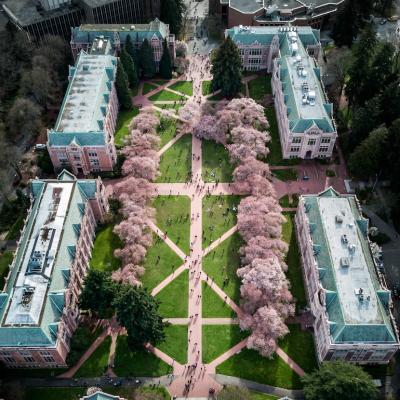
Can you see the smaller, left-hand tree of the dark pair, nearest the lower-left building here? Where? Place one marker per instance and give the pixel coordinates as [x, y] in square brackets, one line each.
[98, 293]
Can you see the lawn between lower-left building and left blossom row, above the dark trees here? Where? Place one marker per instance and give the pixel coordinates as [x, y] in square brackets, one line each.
[105, 243]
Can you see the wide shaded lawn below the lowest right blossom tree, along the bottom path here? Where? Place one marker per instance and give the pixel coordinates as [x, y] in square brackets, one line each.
[248, 364]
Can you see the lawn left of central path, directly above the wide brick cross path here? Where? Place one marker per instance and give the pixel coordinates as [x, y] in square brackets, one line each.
[176, 162]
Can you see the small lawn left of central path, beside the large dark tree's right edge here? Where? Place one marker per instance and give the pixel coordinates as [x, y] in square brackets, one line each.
[175, 344]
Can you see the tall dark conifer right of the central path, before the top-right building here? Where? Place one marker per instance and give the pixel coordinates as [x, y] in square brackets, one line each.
[227, 69]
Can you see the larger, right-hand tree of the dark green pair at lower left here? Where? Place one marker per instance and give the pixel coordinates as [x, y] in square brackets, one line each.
[137, 311]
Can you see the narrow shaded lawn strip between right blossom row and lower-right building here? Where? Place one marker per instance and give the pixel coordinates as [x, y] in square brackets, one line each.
[294, 272]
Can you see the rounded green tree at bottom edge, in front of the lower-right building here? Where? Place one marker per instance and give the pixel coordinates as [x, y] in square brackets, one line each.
[339, 380]
